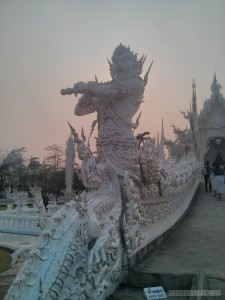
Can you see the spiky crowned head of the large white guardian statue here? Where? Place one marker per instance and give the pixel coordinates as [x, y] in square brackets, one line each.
[125, 64]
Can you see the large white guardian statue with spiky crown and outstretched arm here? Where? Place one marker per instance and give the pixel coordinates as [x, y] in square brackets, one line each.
[115, 102]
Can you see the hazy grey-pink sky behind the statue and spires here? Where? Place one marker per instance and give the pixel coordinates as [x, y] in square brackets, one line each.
[47, 45]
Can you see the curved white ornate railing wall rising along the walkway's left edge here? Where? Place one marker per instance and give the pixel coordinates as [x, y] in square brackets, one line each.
[160, 215]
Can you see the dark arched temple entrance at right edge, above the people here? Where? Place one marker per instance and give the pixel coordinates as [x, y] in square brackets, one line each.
[216, 150]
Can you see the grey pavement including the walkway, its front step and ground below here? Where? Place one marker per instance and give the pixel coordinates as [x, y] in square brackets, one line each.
[191, 257]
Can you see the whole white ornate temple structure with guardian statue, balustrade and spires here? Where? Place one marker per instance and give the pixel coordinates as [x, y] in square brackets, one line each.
[86, 247]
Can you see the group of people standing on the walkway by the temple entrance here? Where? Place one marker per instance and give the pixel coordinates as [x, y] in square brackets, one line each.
[214, 178]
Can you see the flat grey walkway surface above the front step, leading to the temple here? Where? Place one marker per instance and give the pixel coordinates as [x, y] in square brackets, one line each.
[197, 245]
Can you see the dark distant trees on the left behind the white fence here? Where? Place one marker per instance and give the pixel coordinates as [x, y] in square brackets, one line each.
[19, 173]
